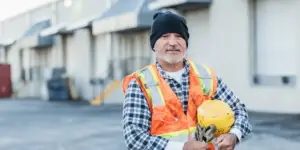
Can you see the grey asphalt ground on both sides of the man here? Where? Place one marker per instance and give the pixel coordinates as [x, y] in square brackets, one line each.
[43, 125]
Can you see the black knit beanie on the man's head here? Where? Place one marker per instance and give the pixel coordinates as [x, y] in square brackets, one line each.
[168, 22]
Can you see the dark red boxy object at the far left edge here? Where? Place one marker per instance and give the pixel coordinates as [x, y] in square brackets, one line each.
[5, 81]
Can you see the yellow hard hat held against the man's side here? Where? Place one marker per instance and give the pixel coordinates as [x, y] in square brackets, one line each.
[218, 113]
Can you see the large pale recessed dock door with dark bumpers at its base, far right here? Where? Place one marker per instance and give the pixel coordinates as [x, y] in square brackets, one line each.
[276, 43]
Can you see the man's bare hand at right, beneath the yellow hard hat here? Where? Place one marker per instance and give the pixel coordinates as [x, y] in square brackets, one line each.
[226, 142]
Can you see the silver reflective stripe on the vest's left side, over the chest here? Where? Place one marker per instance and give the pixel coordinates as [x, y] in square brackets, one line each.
[152, 85]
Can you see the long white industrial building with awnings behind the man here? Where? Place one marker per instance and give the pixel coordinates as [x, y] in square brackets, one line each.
[251, 44]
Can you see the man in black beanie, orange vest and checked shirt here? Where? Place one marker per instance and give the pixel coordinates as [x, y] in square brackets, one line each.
[159, 111]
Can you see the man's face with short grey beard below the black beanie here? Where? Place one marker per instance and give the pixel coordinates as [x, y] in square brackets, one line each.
[170, 47]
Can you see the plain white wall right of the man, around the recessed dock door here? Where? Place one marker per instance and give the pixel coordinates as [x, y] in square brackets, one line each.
[230, 51]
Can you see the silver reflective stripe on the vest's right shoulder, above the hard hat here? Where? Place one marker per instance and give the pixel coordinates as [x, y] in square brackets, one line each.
[206, 78]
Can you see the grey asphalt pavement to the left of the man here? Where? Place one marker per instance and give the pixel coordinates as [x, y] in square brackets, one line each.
[40, 125]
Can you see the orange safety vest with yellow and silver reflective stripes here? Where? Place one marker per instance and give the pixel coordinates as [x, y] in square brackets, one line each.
[168, 117]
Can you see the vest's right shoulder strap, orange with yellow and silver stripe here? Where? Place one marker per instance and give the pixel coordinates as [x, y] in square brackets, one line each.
[206, 77]
